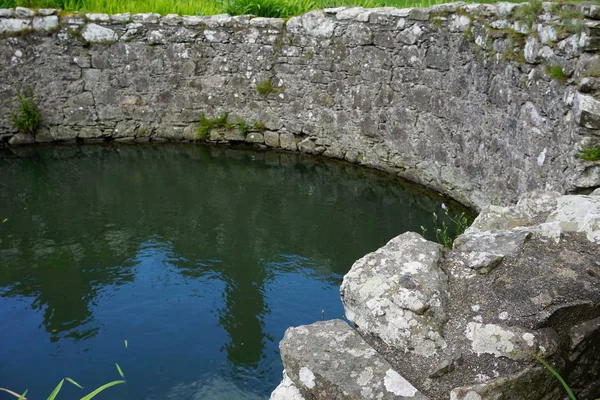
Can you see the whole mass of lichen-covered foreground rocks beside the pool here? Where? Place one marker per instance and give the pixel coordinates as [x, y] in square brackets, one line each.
[522, 282]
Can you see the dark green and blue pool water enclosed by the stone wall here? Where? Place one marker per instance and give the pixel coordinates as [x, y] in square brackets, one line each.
[199, 257]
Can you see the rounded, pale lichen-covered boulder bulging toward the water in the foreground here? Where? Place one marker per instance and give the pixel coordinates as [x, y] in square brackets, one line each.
[386, 293]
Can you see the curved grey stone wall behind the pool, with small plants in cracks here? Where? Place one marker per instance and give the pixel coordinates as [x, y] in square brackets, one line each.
[482, 102]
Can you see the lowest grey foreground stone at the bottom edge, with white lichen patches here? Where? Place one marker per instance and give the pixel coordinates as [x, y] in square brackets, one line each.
[346, 366]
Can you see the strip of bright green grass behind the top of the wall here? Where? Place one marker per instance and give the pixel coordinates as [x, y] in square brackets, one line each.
[261, 8]
